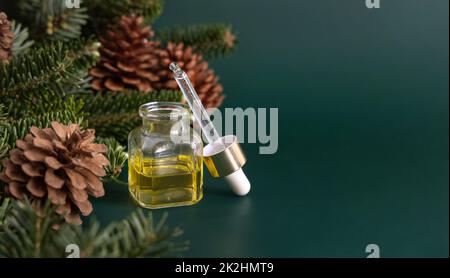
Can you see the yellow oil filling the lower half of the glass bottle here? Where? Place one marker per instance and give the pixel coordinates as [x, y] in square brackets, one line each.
[166, 182]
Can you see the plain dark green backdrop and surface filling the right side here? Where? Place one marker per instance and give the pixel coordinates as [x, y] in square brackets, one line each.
[363, 130]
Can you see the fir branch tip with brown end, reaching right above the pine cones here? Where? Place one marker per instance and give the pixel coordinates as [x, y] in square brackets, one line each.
[211, 41]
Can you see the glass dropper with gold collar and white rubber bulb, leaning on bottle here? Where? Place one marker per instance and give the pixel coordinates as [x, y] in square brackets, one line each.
[223, 156]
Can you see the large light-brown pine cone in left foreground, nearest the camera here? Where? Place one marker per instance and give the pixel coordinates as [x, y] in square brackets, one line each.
[60, 163]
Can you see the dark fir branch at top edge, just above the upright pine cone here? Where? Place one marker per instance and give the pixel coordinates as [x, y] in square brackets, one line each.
[105, 12]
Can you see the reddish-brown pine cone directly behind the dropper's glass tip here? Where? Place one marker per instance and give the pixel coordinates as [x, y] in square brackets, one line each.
[202, 77]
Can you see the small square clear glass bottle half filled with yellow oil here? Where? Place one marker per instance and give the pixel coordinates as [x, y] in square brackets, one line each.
[165, 166]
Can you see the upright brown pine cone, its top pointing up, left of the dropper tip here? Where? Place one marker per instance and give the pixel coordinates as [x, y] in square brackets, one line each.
[126, 57]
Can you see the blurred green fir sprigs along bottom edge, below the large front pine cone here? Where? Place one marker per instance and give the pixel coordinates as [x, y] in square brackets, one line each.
[24, 233]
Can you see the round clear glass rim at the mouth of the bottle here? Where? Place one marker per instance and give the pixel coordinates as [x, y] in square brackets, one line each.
[164, 111]
